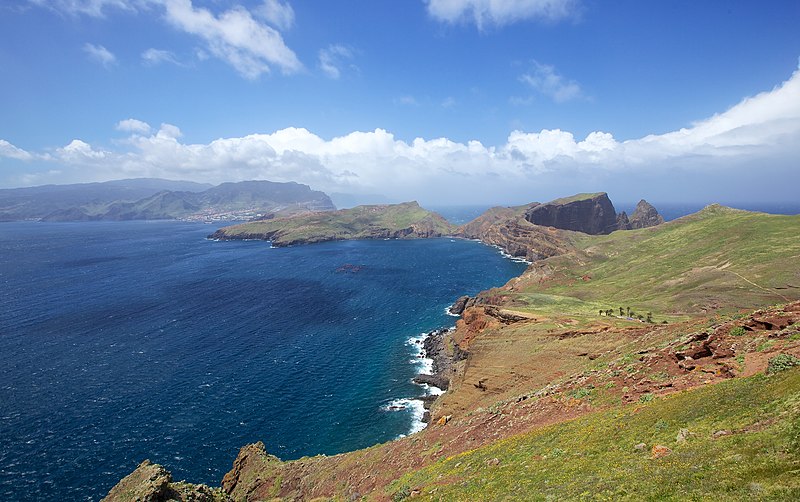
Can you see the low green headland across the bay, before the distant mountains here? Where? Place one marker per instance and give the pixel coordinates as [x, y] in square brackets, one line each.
[407, 220]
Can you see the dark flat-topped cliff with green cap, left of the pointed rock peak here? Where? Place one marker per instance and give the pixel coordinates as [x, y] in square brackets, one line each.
[587, 213]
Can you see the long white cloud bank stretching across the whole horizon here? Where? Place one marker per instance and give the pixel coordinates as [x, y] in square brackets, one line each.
[751, 148]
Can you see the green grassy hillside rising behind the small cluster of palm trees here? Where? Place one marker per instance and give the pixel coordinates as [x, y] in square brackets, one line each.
[718, 258]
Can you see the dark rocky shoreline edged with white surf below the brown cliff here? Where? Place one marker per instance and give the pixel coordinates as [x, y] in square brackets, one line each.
[434, 347]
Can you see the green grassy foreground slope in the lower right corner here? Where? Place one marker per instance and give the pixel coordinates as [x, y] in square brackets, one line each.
[594, 457]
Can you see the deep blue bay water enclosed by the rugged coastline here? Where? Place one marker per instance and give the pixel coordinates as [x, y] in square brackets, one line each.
[126, 341]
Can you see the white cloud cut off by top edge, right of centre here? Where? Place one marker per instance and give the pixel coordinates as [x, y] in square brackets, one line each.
[500, 12]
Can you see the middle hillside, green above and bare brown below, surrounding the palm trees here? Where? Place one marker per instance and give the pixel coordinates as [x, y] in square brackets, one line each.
[672, 270]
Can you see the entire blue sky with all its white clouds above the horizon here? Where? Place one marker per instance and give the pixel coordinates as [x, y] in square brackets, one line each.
[445, 101]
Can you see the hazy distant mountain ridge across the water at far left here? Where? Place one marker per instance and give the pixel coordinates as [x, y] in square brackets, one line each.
[155, 199]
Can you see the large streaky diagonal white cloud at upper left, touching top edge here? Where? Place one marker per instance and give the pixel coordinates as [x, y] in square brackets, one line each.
[234, 36]
